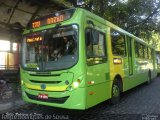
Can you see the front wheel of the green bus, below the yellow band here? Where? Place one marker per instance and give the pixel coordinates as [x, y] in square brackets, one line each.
[115, 92]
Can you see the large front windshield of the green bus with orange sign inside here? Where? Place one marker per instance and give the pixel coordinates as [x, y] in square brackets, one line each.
[52, 49]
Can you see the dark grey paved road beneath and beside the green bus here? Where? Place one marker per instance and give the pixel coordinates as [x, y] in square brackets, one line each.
[140, 103]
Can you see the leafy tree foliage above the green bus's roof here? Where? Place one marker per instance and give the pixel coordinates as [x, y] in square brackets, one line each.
[139, 17]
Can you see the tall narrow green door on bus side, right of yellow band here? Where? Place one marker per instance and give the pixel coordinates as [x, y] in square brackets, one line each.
[130, 55]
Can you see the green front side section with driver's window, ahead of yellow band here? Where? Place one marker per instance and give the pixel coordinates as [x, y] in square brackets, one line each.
[96, 67]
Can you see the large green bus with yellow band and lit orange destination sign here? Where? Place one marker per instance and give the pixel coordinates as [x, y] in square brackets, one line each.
[75, 59]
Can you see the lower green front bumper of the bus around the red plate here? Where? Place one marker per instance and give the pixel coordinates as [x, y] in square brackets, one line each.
[74, 99]
